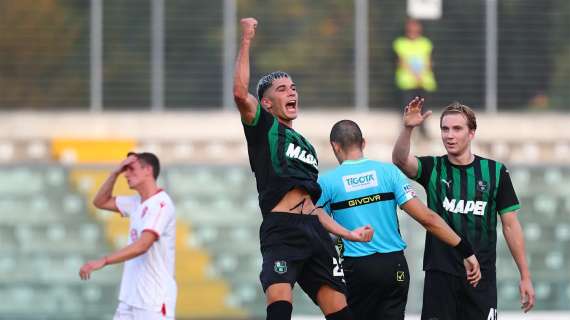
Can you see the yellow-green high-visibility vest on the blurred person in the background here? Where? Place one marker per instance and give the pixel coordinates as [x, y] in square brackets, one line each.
[416, 53]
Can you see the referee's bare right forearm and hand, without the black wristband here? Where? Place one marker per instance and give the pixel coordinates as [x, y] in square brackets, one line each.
[441, 230]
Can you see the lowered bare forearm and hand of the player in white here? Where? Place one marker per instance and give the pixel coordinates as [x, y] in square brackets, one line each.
[133, 250]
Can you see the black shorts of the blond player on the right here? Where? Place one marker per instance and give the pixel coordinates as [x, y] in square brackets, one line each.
[450, 297]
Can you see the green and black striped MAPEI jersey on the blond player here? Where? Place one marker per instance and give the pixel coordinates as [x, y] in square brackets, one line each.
[469, 198]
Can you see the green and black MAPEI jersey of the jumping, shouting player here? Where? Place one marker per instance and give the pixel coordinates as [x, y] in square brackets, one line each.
[281, 160]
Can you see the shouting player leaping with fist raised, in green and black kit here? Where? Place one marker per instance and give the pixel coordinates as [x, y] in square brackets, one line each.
[295, 245]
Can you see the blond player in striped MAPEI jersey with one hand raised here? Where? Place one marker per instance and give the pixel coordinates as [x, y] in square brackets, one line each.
[468, 191]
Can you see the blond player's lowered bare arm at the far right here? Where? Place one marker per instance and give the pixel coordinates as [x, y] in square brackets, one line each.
[512, 231]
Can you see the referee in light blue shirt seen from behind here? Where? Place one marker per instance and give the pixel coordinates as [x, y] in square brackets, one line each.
[362, 191]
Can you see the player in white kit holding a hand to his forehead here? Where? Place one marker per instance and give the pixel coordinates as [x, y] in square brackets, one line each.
[148, 289]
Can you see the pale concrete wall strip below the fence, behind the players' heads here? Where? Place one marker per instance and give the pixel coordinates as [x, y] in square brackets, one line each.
[226, 125]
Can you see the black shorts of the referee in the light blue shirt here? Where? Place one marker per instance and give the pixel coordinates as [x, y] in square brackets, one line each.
[377, 285]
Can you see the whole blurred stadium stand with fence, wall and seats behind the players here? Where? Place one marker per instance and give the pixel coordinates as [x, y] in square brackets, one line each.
[81, 84]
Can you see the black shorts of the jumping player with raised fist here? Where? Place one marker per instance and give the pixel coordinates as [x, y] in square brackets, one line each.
[296, 248]
